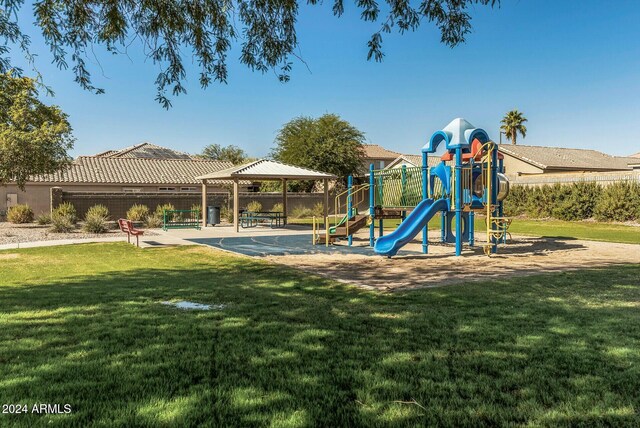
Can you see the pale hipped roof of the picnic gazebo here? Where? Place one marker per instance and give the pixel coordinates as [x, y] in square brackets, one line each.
[267, 169]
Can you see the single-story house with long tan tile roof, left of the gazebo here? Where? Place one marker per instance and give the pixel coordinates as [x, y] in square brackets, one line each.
[131, 170]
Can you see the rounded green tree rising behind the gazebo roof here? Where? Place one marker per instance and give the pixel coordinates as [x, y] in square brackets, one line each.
[327, 144]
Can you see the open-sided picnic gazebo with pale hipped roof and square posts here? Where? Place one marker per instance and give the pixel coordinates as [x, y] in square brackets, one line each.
[263, 170]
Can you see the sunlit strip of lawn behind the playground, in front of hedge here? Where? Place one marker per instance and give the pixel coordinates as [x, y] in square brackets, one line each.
[593, 231]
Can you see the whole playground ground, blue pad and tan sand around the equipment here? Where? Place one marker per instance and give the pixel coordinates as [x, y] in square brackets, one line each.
[359, 265]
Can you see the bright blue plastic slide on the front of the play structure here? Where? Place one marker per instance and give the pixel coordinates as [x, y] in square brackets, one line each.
[389, 245]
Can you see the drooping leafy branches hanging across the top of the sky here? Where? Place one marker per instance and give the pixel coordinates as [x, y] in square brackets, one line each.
[206, 30]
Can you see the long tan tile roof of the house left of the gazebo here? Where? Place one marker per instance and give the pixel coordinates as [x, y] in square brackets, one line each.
[106, 170]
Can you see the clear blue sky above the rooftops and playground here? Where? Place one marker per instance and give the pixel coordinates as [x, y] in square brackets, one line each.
[573, 68]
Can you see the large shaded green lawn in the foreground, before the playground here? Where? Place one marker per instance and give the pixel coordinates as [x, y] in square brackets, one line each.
[83, 325]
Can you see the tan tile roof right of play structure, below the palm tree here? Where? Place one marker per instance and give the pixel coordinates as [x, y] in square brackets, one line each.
[564, 158]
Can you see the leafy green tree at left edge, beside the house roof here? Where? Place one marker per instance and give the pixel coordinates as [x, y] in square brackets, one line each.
[34, 137]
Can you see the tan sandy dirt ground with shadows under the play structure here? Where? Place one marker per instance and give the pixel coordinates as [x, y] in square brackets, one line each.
[521, 257]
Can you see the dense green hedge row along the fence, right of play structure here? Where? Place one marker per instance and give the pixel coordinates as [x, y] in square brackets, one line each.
[578, 201]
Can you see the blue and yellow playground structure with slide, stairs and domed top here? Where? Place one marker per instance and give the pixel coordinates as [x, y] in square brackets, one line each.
[470, 178]
